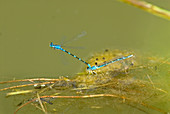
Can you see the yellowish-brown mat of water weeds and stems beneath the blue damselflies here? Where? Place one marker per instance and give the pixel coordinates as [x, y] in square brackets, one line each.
[132, 82]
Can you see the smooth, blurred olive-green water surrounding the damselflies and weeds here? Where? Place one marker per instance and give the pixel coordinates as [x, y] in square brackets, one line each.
[28, 26]
